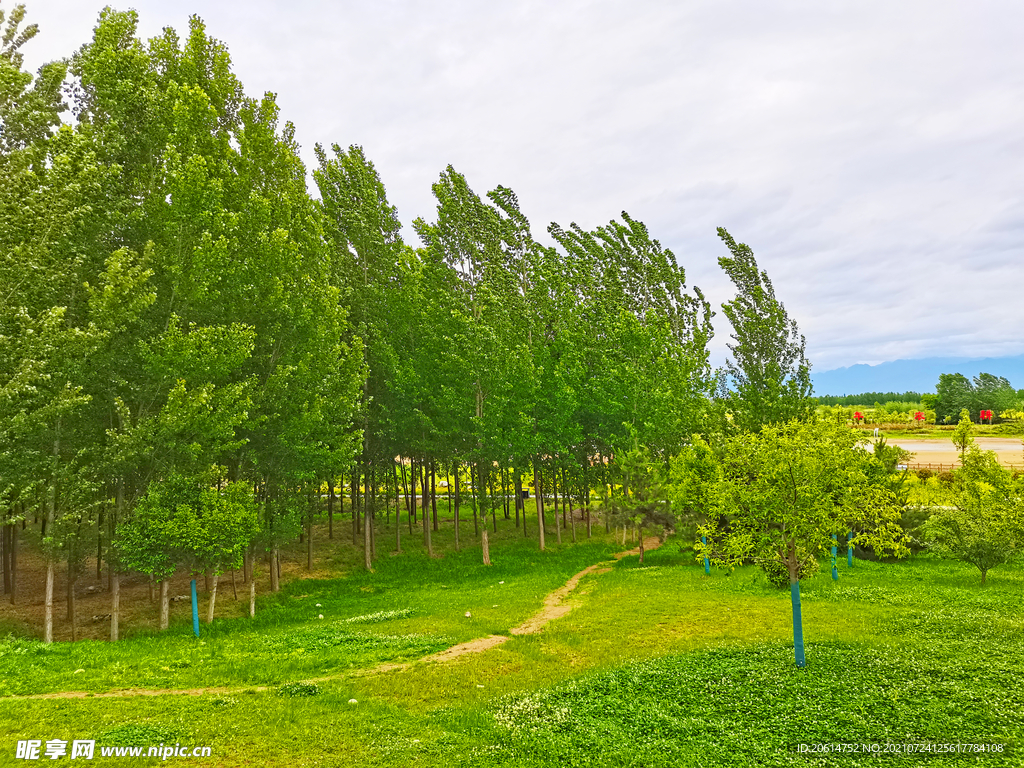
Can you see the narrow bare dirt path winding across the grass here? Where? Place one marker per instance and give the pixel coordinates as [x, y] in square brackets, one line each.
[556, 607]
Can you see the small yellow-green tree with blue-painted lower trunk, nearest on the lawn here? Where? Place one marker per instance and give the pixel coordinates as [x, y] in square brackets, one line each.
[787, 491]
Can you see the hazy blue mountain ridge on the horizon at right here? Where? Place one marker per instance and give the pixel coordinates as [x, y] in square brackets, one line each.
[913, 376]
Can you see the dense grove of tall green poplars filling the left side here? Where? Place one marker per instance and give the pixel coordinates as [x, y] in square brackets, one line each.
[193, 348]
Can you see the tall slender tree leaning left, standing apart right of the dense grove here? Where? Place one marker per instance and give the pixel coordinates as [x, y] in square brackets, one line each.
[770, 376]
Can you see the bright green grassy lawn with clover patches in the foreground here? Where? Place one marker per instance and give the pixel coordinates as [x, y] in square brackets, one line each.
[657, 666]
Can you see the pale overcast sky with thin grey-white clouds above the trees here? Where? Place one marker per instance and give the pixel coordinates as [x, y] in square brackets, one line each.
[871, 153]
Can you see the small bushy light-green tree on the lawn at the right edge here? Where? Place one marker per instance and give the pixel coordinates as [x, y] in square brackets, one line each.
[985, 525]
